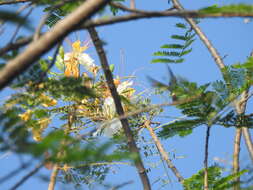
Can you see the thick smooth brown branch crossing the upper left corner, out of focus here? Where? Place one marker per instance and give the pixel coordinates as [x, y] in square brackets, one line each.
[58, 32]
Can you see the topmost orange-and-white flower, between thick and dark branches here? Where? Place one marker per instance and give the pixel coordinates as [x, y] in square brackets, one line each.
[73, 59]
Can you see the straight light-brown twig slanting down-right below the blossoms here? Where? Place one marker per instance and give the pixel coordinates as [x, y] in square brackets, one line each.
[163, 153]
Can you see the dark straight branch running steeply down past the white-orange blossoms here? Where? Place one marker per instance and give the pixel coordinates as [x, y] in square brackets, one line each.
[119, 109]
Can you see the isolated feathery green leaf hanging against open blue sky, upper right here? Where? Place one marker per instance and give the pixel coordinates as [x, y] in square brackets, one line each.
[174, 53]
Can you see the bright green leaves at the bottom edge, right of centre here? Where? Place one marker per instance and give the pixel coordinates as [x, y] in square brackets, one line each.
[215, 179]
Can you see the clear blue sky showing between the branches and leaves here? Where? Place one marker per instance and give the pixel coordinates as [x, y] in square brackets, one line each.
[139, 40]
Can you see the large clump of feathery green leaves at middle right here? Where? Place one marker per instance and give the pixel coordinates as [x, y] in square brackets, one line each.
[205, 106]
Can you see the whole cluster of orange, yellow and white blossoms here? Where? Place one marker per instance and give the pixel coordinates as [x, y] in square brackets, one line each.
[100, 109]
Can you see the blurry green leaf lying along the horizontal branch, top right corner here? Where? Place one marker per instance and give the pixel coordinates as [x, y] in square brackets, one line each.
[236, 8]
